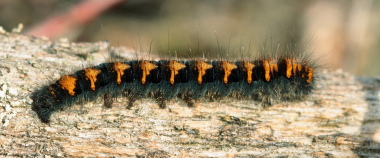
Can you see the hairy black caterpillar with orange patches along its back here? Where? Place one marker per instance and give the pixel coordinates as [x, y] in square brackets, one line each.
[286, 77]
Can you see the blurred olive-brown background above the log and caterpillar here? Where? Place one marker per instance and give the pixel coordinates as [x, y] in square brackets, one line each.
[342, 34]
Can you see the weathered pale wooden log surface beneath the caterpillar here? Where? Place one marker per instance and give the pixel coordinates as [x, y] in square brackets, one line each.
[341, 119]
